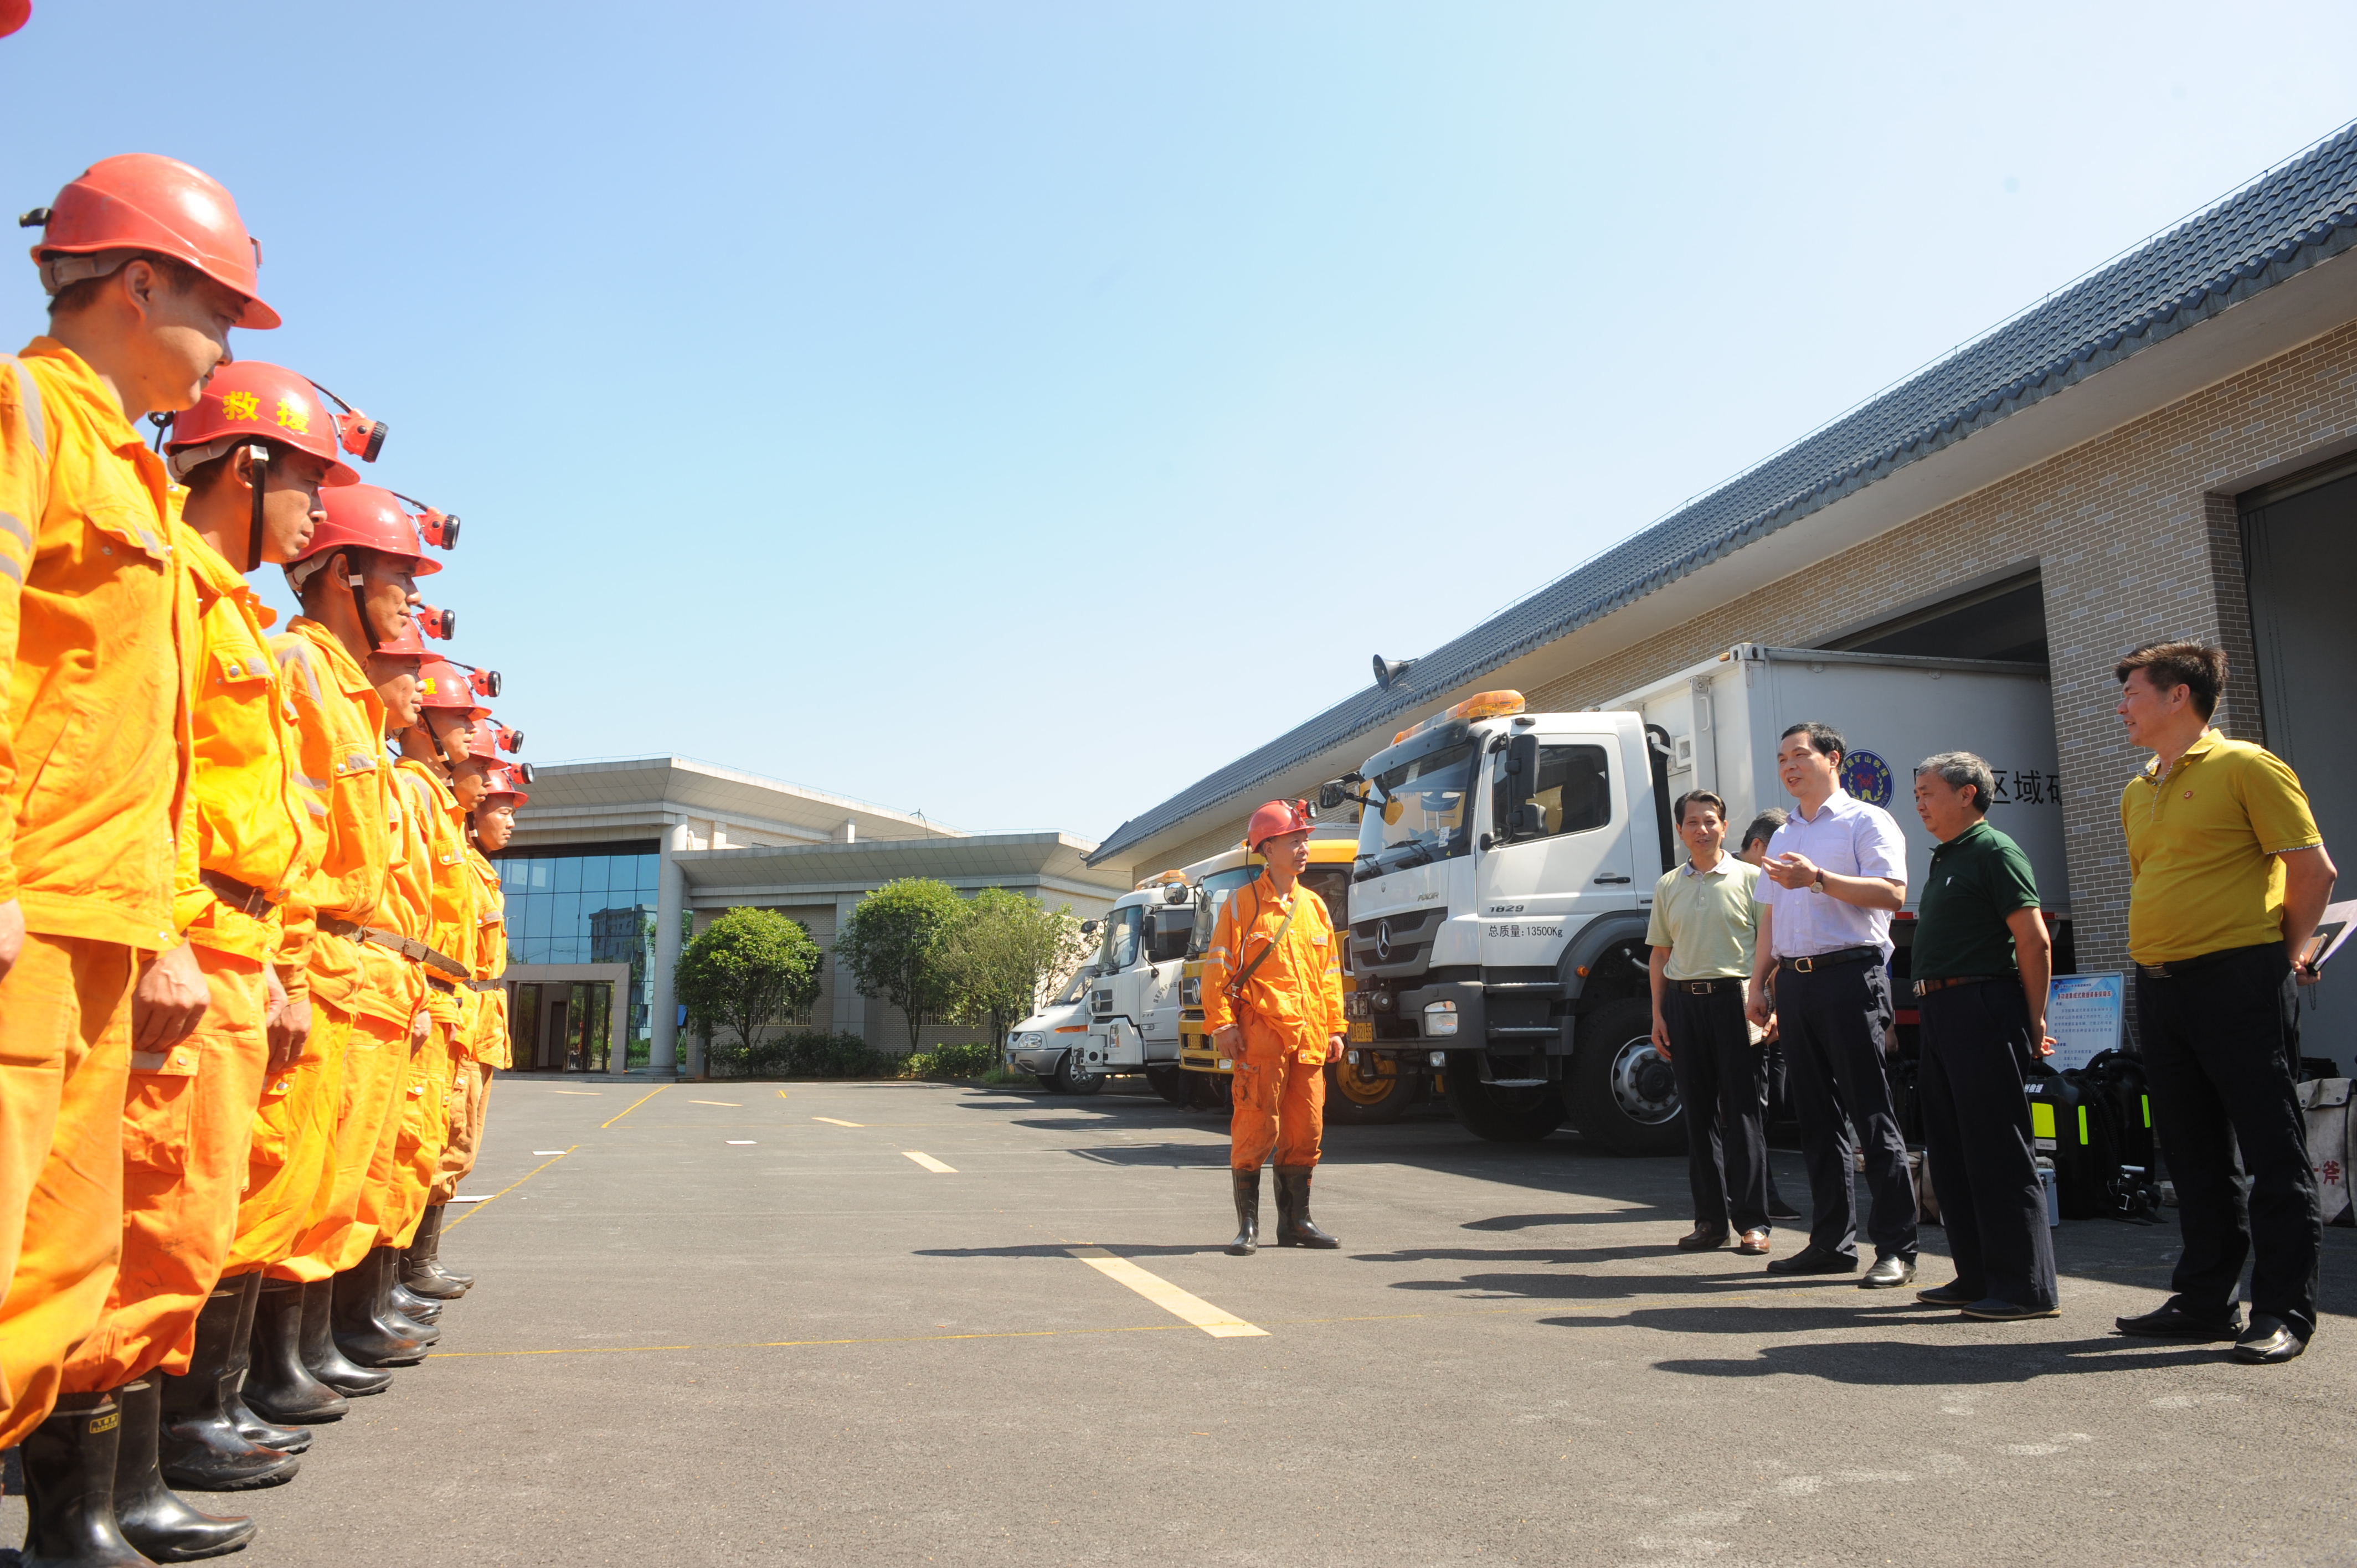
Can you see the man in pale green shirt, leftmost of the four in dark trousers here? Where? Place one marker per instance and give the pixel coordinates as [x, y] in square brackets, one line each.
[1703, 928]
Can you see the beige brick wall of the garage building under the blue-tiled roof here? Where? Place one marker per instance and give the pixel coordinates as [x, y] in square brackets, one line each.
[2137, 539]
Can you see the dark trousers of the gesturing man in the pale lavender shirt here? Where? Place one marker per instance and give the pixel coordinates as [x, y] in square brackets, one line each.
[1835, 1025]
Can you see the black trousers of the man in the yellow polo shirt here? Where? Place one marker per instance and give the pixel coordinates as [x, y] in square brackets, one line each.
[2224, 1072]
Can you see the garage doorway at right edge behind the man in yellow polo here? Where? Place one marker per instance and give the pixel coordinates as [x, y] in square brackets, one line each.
[2302, 560]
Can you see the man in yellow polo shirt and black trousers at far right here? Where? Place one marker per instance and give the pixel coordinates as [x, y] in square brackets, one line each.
[2229, 878]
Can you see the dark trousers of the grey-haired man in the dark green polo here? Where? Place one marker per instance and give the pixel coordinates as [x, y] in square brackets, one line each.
[1976, 1126]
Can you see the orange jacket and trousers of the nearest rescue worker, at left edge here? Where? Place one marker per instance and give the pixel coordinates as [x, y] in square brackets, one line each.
[93, 784]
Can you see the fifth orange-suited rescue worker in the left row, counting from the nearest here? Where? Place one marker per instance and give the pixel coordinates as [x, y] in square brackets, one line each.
[444, 784]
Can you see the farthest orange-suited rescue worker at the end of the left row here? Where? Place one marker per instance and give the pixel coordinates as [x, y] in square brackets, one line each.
[489, 829]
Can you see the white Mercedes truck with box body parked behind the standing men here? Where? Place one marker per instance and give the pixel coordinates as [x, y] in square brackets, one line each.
[1507, 862]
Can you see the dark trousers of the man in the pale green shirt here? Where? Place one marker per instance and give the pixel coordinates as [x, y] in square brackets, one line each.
[1719, 1086]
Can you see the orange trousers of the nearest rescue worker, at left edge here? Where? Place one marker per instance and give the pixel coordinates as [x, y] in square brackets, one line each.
[65, 1053]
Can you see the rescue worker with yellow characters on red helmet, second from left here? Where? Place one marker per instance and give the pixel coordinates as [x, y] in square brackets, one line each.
[253, 454]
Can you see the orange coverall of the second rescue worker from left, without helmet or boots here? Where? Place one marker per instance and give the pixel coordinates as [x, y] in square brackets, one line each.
[190, 1114]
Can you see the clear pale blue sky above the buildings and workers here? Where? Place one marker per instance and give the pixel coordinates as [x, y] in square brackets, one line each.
[1017, 411]
